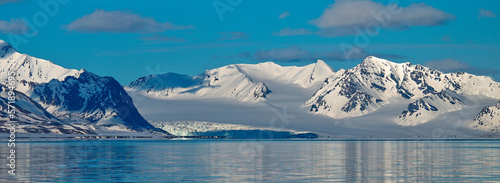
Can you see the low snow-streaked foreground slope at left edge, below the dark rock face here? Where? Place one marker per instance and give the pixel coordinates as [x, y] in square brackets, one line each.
[32, 118]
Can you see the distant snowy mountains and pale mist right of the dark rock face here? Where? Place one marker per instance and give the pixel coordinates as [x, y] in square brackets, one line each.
[377, 91]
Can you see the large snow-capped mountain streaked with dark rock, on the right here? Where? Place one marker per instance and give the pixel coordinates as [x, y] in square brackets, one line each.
[372, 84]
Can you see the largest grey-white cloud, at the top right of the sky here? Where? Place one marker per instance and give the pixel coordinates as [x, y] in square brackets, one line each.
[342, 17]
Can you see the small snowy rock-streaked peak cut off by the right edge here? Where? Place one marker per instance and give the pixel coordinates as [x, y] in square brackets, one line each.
[488, 119]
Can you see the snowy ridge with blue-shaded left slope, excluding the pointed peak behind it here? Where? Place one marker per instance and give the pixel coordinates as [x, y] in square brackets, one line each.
[226, 82]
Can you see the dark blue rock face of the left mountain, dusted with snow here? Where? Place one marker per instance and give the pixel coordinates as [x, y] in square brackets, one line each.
[91, 97]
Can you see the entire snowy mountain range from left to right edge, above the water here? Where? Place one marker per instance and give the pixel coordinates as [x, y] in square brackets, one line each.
[377, 98]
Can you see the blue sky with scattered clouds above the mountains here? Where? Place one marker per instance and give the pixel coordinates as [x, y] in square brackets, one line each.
[127, 39]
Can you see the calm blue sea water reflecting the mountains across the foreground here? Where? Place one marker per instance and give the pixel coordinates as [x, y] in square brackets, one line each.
[255, 161]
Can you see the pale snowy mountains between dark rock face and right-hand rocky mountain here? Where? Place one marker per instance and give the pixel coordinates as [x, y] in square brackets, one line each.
[242, 82]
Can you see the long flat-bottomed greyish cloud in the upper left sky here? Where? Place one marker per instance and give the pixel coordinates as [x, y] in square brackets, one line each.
[118, 21]
